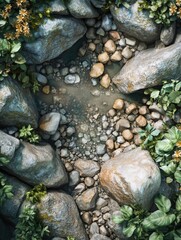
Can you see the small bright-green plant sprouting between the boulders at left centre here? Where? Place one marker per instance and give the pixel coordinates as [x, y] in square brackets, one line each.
[28, 133]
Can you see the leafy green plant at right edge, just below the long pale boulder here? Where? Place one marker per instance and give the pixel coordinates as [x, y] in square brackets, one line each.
[168, 97]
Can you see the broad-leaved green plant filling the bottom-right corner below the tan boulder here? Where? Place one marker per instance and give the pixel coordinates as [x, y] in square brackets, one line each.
[162, 224]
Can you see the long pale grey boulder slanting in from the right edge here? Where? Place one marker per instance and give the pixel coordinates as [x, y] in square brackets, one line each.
[149, 68]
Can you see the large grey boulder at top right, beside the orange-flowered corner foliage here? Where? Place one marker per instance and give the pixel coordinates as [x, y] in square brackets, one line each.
[135, 23]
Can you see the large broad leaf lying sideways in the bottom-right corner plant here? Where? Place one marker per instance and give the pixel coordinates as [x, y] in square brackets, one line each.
[158, 219]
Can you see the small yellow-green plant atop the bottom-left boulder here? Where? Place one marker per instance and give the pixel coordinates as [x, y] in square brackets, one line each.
[36, 193]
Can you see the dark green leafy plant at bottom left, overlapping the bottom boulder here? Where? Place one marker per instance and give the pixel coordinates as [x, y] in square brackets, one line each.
[29, 225]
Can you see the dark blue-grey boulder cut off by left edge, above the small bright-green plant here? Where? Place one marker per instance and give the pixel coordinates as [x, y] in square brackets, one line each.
[17, 106]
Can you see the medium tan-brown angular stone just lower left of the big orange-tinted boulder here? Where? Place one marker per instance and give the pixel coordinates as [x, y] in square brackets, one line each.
[87, 200]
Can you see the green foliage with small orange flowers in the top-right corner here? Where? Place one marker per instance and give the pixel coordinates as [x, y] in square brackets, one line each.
[162, 11]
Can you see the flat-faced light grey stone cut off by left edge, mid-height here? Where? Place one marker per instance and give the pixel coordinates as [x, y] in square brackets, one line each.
[8, 145]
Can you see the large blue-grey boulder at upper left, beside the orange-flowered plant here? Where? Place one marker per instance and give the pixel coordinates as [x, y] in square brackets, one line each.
[53, 37]
